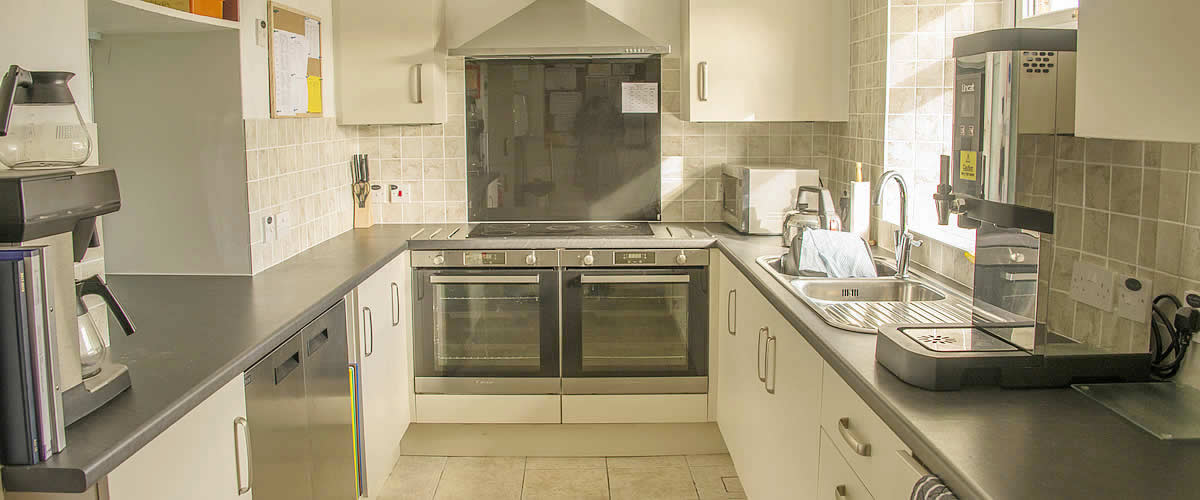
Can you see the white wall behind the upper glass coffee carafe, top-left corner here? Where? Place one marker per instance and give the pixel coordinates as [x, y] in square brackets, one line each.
[49, 35]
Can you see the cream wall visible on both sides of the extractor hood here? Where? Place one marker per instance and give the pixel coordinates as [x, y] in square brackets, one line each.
[659, 20]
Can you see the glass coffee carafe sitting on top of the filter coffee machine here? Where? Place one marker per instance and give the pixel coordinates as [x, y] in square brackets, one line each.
[40, 124]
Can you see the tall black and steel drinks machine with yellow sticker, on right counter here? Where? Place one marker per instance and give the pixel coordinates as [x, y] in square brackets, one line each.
[1012, 87]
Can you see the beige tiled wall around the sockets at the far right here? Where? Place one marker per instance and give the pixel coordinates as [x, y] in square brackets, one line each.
[1133, 208]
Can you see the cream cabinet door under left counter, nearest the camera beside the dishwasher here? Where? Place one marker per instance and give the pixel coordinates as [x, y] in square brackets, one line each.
[201, 457]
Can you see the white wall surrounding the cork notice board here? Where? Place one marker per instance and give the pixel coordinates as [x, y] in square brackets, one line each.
[255, 76]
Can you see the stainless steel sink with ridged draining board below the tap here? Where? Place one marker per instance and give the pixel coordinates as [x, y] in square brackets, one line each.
[863, 305]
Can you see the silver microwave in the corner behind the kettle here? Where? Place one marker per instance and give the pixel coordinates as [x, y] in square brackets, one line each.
[758, 197]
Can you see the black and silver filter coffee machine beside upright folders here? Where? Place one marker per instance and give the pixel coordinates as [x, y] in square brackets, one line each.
[53, 214]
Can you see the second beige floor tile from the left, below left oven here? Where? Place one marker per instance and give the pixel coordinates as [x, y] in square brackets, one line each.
[482, 478]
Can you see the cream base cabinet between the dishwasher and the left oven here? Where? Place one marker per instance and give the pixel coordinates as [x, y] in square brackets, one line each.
[383, 358]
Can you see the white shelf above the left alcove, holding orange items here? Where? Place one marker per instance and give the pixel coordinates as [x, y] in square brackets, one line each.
[131, 17]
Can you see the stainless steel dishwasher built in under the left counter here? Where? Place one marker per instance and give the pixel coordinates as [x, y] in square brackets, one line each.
[298, 403]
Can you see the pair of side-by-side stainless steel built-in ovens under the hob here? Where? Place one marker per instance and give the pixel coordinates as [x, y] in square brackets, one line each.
[561, 322]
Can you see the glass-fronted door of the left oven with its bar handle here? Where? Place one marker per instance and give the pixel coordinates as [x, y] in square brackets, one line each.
[487, 332]
